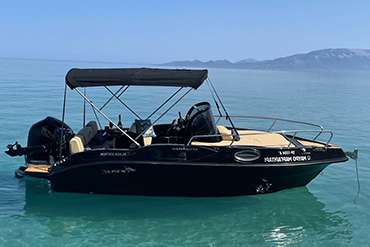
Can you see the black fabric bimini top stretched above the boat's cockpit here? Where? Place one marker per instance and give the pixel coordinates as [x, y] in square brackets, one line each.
[138, 77]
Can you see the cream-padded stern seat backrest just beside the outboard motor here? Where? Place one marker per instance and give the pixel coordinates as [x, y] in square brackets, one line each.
[83, 137]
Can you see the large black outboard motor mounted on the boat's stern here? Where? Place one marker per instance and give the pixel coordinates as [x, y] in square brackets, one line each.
[43, 141]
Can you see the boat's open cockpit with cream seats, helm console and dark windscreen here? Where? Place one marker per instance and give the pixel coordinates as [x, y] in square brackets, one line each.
[198, 121]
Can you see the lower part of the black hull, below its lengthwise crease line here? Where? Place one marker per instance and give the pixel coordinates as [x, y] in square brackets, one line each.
[183, 180]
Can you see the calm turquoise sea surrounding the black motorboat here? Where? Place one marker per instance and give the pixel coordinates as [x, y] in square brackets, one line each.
[330, 211]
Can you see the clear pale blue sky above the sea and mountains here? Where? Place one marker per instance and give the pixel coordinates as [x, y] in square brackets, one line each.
[154, 32]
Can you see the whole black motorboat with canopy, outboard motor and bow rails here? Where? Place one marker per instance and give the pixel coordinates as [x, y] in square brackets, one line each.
[194, 155]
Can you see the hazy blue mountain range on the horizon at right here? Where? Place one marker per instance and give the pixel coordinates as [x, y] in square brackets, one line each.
[321, 59]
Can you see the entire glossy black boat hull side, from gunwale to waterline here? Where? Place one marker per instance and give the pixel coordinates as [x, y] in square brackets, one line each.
[216, 174]
